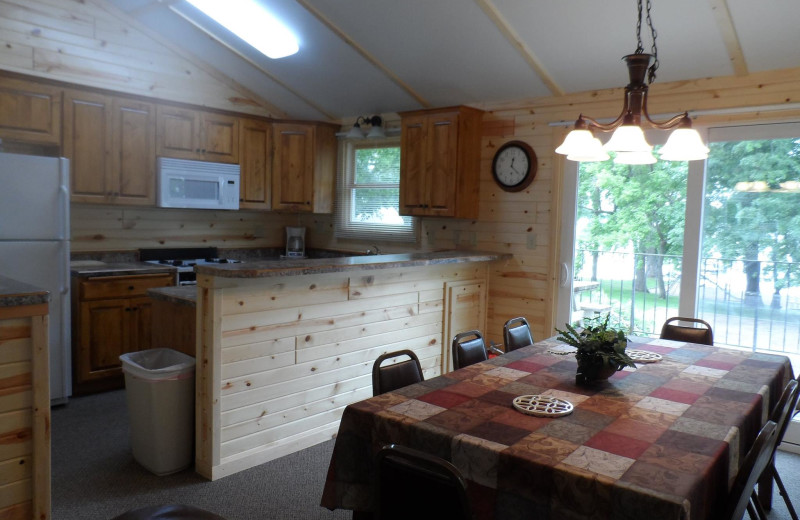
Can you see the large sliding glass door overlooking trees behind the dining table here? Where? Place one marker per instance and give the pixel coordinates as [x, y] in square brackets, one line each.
[716, 239]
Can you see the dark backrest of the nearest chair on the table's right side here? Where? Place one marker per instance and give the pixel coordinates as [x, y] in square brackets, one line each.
[754, 464]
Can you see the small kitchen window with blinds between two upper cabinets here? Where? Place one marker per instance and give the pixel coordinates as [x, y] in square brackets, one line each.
[368, 193]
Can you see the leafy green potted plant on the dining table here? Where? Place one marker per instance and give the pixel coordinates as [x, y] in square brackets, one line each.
[601, 349]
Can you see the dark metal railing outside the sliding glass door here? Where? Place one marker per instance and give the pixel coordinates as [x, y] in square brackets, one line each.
[767, 319]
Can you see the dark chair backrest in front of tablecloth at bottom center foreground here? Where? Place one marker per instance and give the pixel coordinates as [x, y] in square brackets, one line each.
[414, 484]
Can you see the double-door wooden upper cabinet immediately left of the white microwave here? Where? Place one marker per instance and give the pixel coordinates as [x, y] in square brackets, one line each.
[110, 142]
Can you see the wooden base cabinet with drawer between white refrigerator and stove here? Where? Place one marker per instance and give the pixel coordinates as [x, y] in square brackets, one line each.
[111, 316]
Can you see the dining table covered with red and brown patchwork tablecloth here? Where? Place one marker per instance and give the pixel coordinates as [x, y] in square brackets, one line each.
[663, 440]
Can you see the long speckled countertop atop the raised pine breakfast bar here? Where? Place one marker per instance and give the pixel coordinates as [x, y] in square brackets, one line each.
[287, 267]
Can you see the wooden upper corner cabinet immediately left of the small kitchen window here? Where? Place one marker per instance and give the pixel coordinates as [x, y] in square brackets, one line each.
[304, 167]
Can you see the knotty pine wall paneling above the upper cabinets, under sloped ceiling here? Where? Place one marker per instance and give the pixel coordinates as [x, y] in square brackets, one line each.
[85, 43]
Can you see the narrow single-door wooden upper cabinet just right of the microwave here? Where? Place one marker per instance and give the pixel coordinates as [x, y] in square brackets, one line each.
[255, 160]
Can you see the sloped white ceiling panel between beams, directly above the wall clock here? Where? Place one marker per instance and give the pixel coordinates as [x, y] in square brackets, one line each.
[448, 51]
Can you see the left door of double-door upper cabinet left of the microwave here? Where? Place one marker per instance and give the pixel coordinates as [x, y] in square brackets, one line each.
[87, 131]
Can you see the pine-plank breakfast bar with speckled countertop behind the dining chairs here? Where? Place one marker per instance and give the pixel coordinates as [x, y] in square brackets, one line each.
[283, 346]
